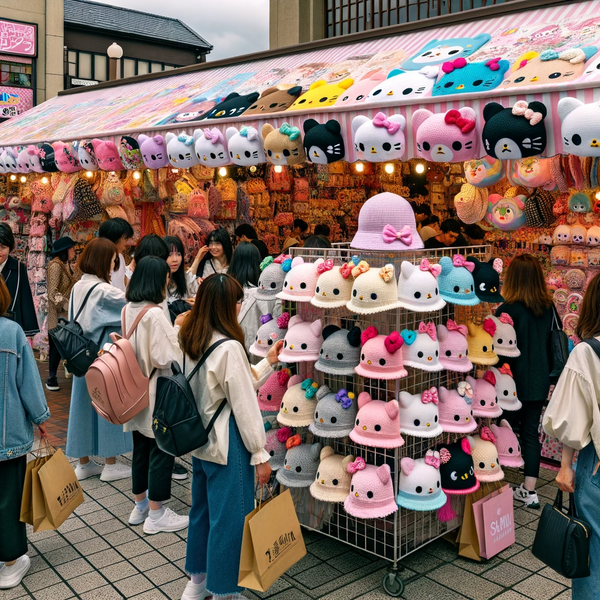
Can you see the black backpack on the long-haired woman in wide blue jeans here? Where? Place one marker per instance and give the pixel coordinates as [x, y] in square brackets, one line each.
[178, 427]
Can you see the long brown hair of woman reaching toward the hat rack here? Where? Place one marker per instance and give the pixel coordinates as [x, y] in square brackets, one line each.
[214, 311]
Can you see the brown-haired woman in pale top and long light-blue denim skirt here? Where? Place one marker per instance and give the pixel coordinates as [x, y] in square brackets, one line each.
[87, 433]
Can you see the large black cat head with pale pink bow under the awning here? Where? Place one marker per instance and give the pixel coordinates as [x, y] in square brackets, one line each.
[515, 132]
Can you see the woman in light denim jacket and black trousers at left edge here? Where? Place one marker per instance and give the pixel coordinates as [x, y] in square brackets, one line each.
[22, 402]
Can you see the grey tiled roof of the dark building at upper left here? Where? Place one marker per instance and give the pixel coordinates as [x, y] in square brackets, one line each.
[97, 15]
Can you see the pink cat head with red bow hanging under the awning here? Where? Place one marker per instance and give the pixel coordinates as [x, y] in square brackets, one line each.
[446, 137]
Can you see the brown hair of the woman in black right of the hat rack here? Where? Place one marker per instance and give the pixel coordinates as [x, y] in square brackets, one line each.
[524, 282]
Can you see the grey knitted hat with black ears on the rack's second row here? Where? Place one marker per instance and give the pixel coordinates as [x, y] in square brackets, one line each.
[340, 351]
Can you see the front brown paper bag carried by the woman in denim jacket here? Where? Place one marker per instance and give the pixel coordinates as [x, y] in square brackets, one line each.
[61, 491]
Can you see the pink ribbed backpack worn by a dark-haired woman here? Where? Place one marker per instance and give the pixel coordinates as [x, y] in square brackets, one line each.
[118, 388]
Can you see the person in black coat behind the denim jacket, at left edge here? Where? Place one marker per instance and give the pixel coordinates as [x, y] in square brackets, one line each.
[14, 273]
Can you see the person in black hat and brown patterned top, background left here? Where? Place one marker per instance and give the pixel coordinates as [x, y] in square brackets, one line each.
[60, 279]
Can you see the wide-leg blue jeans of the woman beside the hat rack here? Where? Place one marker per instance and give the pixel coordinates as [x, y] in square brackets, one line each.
[222, 496]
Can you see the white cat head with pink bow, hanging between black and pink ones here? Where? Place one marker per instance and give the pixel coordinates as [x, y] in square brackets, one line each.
[381, 139]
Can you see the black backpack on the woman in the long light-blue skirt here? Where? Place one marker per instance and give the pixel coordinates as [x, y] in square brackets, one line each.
[78, 351]
